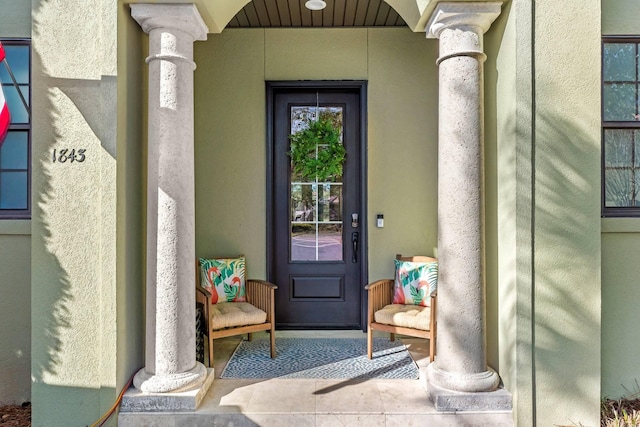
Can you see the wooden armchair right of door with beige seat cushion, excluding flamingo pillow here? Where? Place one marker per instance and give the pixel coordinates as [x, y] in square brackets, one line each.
[411, 320]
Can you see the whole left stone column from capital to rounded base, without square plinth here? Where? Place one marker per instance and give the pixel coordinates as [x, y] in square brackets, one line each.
[170, 358]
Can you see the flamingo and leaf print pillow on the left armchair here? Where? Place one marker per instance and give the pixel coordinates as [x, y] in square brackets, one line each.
[224, 278]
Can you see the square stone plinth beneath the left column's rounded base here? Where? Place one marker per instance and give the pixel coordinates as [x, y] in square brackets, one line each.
[135, 400]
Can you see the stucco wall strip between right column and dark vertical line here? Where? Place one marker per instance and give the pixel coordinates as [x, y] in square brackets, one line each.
[511, 39]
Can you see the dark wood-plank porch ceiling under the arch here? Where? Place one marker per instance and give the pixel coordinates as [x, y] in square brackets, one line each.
[338, 13]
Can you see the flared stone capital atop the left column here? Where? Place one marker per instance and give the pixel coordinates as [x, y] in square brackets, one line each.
[183, 17]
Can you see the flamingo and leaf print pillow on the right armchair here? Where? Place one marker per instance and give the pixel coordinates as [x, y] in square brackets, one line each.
[414, 282]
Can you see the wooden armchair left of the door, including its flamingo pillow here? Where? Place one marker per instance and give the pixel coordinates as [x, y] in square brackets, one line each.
[232, 304]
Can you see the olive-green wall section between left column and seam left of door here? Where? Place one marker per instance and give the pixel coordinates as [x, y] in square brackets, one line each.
[230, 147]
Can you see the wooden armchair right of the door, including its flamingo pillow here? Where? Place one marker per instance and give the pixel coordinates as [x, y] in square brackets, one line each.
[406, 304]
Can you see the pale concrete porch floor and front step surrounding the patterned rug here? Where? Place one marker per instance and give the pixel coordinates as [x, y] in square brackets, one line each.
[315, 402]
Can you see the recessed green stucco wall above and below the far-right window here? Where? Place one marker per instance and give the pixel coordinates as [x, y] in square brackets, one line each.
[620, 254]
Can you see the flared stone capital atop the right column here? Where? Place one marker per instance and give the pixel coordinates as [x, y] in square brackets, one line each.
[478, 14]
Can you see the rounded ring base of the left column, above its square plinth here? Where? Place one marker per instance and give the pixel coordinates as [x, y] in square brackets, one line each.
[184, 381]
